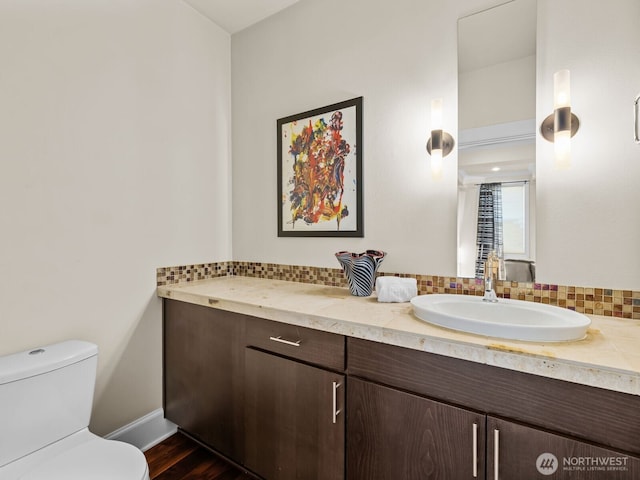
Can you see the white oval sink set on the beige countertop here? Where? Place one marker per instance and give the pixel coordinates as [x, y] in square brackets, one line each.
[509, 319]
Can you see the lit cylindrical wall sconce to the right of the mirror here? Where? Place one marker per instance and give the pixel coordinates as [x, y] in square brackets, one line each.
[560, 126]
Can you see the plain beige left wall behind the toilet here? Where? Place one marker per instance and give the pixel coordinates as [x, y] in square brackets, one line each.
[114, 160]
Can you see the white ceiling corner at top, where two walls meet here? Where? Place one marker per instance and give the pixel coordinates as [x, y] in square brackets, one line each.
[236, 15]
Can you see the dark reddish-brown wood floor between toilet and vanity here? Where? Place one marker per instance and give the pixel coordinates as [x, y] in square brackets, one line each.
[180, 458]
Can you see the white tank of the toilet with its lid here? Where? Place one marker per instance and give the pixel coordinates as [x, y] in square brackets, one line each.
[46, 394]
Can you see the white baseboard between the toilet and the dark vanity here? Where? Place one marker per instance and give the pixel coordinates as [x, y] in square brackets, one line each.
[146, 431]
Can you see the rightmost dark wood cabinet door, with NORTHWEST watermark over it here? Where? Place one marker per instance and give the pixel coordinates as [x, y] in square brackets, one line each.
[515, 452]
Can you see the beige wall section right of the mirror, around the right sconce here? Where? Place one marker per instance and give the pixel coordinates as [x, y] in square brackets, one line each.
[589, 216]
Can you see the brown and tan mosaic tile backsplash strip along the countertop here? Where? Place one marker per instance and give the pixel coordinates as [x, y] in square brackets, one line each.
[594, 301]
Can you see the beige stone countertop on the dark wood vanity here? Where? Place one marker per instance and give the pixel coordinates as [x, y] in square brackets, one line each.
[609, 357]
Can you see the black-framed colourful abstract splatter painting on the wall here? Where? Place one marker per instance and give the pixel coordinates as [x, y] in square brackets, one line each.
[320, 172]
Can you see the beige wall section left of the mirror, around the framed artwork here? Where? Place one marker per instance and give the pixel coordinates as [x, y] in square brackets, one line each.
[398, 56]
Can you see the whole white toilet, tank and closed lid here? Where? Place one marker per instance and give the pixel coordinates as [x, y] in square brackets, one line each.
[46, 396]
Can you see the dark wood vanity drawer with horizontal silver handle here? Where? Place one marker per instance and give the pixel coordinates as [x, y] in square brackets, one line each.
[312, 346]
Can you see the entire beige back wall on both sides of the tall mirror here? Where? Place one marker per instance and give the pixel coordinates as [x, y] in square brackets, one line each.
[399, 56]
